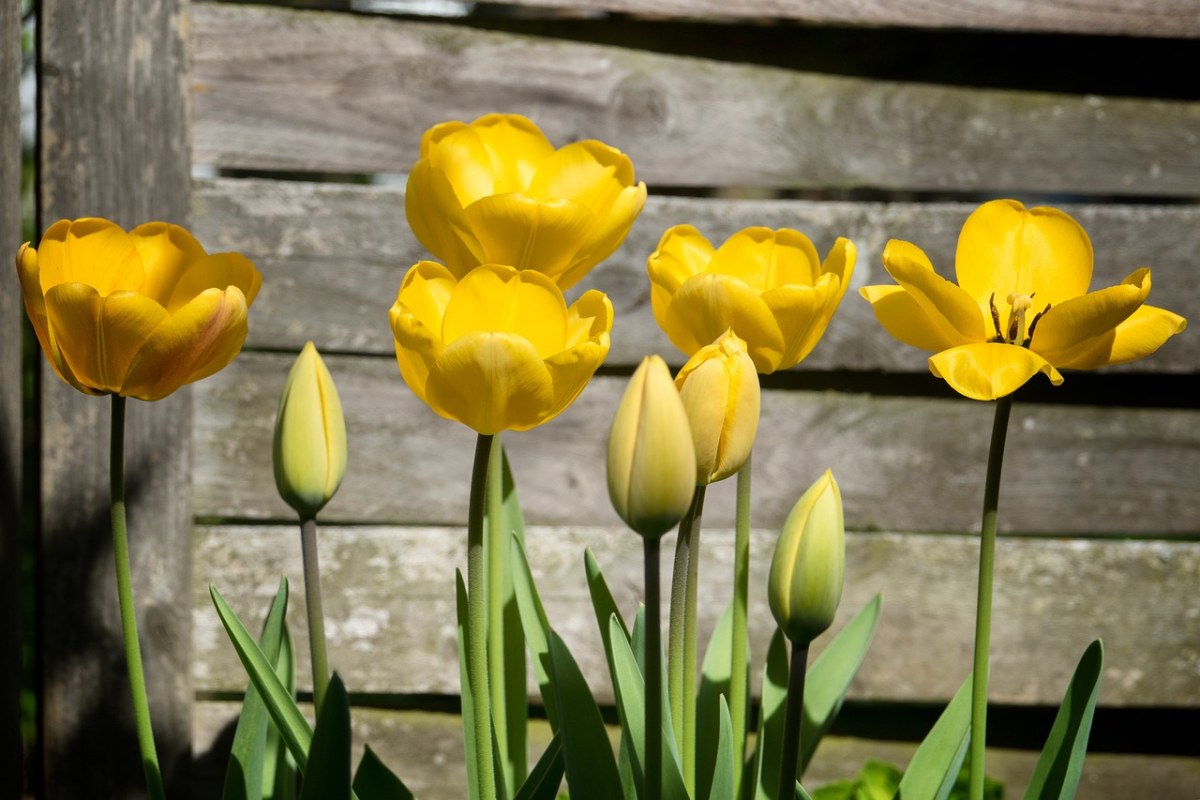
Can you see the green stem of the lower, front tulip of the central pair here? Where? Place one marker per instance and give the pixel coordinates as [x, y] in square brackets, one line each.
[477, 622]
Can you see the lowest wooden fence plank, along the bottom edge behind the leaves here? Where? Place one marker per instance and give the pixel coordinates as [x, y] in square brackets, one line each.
[427, 751]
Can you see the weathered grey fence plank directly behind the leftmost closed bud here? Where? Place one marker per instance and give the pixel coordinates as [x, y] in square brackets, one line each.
[903, 464]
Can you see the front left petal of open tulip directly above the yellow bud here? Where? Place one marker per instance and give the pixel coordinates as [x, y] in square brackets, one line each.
[709, 305]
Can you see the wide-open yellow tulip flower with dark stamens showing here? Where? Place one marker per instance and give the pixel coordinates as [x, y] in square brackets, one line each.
[1022, 304]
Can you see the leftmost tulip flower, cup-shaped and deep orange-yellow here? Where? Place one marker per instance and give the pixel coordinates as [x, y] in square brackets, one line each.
[136, 314]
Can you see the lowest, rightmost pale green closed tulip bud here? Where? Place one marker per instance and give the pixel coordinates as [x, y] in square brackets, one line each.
[806, 581]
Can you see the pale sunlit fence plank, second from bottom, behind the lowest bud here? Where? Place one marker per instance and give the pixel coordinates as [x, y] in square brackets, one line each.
[391, 610]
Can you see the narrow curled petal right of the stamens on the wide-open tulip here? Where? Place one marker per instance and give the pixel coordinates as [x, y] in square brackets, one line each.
[1077, 326]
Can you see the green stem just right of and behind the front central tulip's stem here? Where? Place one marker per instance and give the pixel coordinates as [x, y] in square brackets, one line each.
[495, 561]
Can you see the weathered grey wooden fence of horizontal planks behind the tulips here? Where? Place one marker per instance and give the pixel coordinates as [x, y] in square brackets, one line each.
[1100, 502]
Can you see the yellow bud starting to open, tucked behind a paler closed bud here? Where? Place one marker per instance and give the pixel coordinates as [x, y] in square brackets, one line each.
[719, 388]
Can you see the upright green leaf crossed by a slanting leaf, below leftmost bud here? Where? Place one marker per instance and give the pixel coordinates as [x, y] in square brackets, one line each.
[244, 777]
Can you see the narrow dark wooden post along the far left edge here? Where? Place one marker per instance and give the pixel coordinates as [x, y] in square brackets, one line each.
[10, 404]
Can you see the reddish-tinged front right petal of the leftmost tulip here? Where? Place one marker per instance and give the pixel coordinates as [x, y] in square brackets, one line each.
[197, 341]
